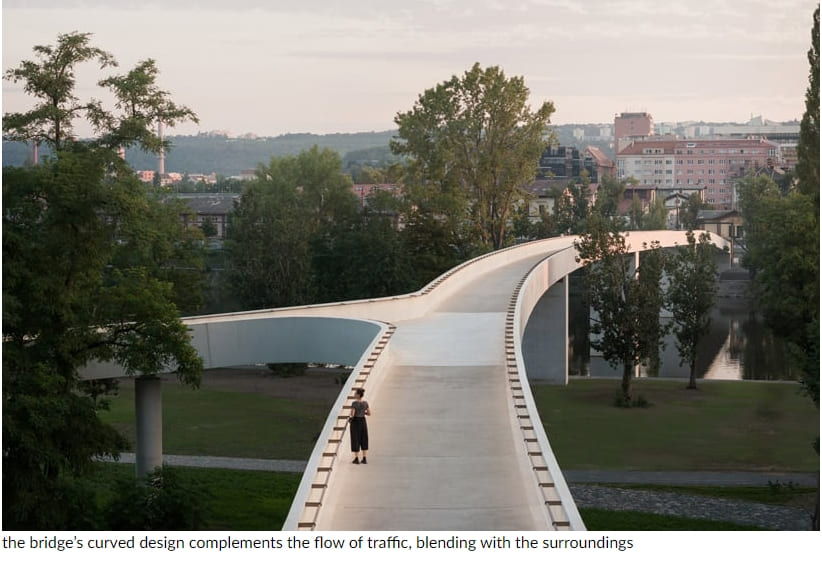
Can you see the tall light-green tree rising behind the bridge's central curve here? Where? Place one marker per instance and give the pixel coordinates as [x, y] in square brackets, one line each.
[475, 137]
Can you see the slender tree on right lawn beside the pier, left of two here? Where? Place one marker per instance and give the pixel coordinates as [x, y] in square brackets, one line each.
[626, 301]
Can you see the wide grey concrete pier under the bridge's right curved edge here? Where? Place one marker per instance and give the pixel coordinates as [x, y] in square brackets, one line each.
[545, 341]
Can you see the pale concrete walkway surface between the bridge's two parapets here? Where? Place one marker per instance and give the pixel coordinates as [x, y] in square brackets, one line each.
[442, 453]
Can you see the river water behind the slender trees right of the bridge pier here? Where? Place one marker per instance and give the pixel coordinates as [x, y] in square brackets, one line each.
[738, 346]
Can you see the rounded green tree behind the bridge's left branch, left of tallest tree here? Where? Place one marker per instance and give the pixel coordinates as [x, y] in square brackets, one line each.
[271, 229]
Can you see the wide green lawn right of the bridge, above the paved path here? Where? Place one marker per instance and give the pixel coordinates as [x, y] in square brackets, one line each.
[740, 426]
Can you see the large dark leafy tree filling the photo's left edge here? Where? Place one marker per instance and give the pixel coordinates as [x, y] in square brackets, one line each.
[92, 271]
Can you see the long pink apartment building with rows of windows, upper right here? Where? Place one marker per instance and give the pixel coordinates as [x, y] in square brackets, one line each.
[712, 164]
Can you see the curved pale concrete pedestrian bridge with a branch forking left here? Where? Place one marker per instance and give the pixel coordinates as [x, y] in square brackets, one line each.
[456, 439]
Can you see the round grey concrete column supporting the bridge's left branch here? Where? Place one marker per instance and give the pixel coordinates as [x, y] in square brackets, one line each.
[148, 403]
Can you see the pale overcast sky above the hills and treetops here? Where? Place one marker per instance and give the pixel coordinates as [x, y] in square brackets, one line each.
[272, 67]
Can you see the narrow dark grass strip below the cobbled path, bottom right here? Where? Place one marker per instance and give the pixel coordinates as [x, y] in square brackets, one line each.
[630, 520]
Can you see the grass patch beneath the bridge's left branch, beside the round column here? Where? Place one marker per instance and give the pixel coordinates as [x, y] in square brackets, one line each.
[229, 424]
